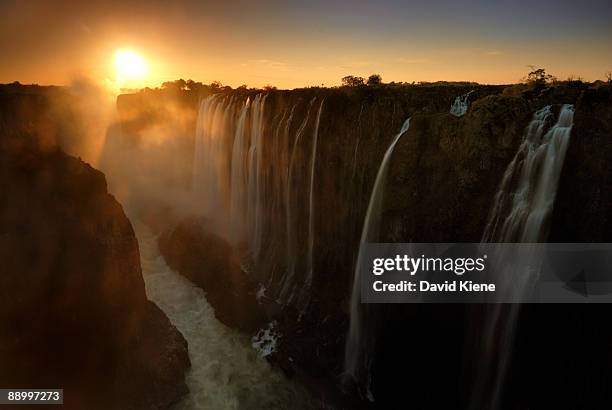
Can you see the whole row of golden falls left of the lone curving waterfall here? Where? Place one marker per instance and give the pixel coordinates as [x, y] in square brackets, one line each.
[246, 180]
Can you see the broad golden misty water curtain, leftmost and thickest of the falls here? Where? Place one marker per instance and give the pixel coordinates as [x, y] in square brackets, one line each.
[227, 165]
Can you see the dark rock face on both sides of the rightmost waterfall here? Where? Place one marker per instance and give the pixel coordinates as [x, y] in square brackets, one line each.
[440, 190]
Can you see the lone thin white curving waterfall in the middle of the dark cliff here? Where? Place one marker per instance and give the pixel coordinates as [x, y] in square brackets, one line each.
[357, 358]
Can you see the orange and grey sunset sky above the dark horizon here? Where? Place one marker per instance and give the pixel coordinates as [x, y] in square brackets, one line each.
[304, 43]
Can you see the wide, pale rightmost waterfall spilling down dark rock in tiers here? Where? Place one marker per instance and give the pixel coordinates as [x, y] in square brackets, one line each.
[521, 213]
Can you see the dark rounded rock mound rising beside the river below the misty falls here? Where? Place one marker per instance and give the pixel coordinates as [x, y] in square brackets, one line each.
[210, 262]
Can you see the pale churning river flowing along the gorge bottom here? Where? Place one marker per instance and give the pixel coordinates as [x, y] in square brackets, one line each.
[226, 372]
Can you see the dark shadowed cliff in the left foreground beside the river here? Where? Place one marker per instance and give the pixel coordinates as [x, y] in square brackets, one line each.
[73, 308]
